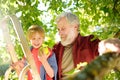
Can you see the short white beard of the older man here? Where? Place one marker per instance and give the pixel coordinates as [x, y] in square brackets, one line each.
[70, 38]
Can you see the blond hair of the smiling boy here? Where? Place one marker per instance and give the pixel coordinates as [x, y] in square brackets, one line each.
[35, 29]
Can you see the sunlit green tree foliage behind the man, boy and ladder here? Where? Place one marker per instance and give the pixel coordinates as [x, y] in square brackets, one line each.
[98, 17]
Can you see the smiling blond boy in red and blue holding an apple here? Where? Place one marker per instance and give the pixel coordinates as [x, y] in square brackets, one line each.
[45, 62]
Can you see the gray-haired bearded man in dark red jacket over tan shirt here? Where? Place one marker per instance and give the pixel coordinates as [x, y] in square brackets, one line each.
[73, 48]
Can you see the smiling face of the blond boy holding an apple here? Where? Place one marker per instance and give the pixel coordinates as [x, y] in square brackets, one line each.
[36, 40]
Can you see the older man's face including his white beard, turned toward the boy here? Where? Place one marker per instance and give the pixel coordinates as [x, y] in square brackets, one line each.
[66, 31]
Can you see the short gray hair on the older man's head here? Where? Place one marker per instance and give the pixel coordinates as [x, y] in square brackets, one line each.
[70, 17]
